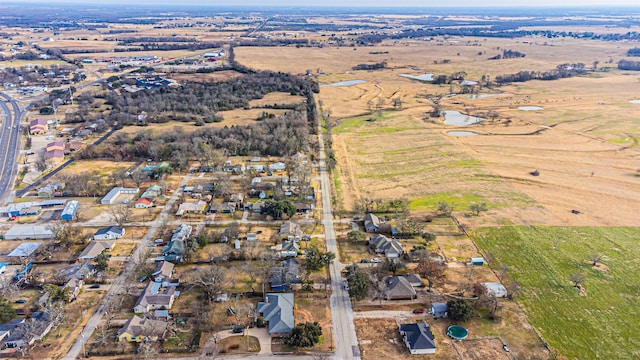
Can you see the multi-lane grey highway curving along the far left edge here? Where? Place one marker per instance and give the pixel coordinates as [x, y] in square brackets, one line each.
[9, 143]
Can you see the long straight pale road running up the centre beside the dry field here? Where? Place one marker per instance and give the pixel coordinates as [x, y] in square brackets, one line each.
[344, 331]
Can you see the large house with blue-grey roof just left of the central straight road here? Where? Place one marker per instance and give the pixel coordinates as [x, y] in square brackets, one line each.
[277, 311]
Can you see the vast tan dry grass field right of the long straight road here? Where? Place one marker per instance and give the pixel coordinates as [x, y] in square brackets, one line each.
[584, 142]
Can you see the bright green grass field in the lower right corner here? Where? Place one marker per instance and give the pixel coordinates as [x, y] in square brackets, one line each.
[598, 324]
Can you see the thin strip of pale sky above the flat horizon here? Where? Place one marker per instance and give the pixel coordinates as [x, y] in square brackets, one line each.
[363, 3]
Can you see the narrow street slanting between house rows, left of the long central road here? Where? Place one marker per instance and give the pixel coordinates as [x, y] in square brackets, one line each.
[118, 284]
